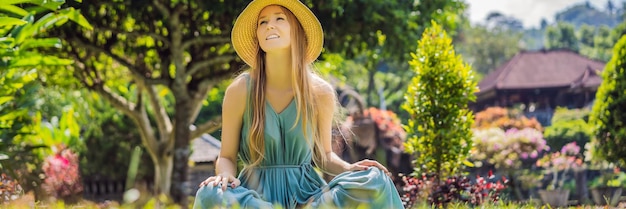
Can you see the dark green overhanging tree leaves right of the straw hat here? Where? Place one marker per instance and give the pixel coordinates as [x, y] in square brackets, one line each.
[357, 26]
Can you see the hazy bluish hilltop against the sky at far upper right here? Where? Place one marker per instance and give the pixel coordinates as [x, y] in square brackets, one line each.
[586, 14]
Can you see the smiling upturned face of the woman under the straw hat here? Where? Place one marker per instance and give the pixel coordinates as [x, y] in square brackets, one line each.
[273, 29]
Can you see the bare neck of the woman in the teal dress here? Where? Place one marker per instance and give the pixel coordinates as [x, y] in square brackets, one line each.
[278, 70]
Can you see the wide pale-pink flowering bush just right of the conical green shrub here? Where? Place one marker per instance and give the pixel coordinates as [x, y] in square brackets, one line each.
[512, 149]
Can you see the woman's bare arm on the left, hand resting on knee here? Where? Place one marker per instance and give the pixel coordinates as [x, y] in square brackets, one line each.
[232, 117]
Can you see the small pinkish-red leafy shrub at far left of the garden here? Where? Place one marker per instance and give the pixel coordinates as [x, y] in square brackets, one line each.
[62, 179]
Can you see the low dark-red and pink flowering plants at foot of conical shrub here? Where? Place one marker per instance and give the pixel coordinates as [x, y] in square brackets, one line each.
[456, 189]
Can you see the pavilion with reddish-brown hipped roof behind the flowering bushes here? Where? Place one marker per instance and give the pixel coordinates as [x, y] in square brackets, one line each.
[539, 81]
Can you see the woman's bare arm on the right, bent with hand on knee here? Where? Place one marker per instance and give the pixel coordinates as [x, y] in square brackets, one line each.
[326, 99]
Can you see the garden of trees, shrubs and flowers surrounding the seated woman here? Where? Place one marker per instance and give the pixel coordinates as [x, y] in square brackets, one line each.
[90, 95]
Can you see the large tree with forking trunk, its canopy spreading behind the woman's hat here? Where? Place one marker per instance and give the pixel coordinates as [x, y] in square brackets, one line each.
[142, 51]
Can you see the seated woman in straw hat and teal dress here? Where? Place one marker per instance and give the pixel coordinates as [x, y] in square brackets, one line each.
[277, 118]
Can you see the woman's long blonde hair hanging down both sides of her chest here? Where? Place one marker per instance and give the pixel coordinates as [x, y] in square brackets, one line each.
[304, 97]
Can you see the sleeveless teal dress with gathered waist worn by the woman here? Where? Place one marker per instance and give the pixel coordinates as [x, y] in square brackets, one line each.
[287, 179]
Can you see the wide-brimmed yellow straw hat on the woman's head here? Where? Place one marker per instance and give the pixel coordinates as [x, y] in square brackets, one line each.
[244, 31]
